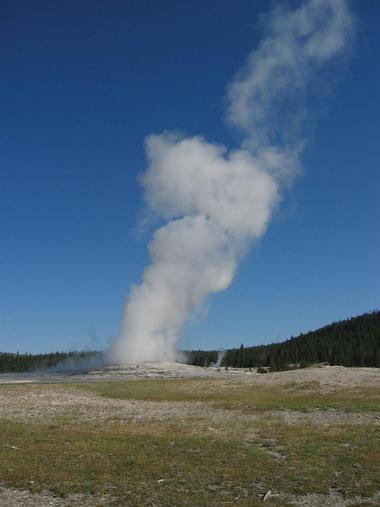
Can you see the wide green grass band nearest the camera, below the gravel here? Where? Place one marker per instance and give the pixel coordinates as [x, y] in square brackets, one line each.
[129, 459]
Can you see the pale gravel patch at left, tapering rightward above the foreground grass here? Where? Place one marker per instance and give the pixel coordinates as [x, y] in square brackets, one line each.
[44, 403]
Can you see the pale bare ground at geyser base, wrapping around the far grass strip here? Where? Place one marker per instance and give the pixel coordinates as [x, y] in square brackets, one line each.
[47, 400]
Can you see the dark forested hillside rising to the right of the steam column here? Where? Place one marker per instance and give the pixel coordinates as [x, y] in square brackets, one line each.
[351, 342]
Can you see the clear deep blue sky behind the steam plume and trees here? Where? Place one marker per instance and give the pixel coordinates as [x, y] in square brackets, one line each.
[82, 84]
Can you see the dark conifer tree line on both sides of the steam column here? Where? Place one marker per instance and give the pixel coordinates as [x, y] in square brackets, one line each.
[351, 342]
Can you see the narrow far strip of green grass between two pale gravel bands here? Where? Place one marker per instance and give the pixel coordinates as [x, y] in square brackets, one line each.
[236, 395]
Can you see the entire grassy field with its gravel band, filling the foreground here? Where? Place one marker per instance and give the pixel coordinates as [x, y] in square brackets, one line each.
[197, 442]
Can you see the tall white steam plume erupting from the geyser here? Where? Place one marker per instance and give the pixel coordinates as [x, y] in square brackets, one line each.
[218, 202]
